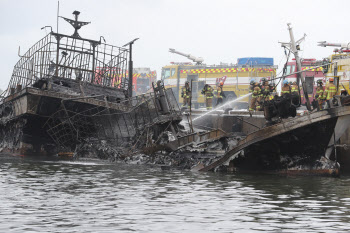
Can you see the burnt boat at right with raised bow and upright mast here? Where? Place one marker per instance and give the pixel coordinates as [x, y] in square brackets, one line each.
[291, 144]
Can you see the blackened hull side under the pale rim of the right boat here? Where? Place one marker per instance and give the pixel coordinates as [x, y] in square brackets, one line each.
[298, 151]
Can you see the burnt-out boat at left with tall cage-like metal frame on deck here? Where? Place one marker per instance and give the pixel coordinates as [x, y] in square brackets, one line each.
[66, 91]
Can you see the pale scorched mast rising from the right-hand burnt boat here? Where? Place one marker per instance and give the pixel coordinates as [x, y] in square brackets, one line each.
[294, 48]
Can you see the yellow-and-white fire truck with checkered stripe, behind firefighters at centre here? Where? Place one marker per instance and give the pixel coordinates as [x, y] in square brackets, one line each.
[236, 84]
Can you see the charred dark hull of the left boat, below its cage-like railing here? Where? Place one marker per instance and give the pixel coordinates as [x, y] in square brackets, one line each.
[42, 122]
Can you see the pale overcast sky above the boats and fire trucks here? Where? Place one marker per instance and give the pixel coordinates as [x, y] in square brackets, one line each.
[218, 31]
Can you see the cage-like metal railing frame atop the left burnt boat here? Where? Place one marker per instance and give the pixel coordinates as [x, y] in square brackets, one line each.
[68, 57]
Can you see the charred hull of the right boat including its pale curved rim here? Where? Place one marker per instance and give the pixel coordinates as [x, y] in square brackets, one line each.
[296, 146]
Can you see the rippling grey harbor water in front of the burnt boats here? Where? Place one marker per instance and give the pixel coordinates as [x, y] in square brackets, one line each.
[96, 196]
